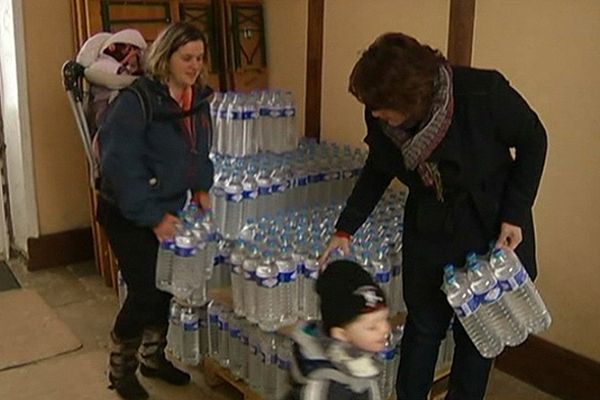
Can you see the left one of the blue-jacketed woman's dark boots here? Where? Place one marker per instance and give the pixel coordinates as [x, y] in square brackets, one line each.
[123, 363]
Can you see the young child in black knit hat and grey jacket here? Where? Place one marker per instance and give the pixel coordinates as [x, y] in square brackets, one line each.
[335, 359]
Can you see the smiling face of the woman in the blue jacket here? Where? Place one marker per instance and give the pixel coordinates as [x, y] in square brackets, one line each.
[186, 64]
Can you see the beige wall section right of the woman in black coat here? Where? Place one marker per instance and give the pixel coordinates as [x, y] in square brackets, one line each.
[550, 50]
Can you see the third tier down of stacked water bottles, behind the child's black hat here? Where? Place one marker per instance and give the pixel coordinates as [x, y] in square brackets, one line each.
[274, 262]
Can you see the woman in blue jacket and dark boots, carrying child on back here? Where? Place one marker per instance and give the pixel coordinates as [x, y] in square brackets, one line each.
[154, 146]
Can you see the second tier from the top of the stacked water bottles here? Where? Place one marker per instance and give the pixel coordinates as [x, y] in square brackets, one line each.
[261, 186]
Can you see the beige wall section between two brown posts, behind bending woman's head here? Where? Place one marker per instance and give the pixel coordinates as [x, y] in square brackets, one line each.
[350, 26]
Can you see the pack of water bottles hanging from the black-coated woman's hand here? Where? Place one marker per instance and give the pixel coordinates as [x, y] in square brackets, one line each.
[495, 300]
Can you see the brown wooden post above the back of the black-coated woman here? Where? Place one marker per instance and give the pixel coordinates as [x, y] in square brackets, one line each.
[460, 31]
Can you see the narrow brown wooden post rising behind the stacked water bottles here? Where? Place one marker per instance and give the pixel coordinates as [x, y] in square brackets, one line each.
[314, 68]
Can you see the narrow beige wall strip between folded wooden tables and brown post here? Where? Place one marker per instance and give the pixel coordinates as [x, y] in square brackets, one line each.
[285, 26]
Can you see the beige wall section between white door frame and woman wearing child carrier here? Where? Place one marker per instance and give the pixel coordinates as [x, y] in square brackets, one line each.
[59, 164]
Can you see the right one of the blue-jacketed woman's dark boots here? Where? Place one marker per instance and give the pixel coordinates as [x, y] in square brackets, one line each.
[153, 362]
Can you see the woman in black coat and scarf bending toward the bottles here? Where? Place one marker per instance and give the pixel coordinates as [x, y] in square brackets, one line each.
[471, 152]
